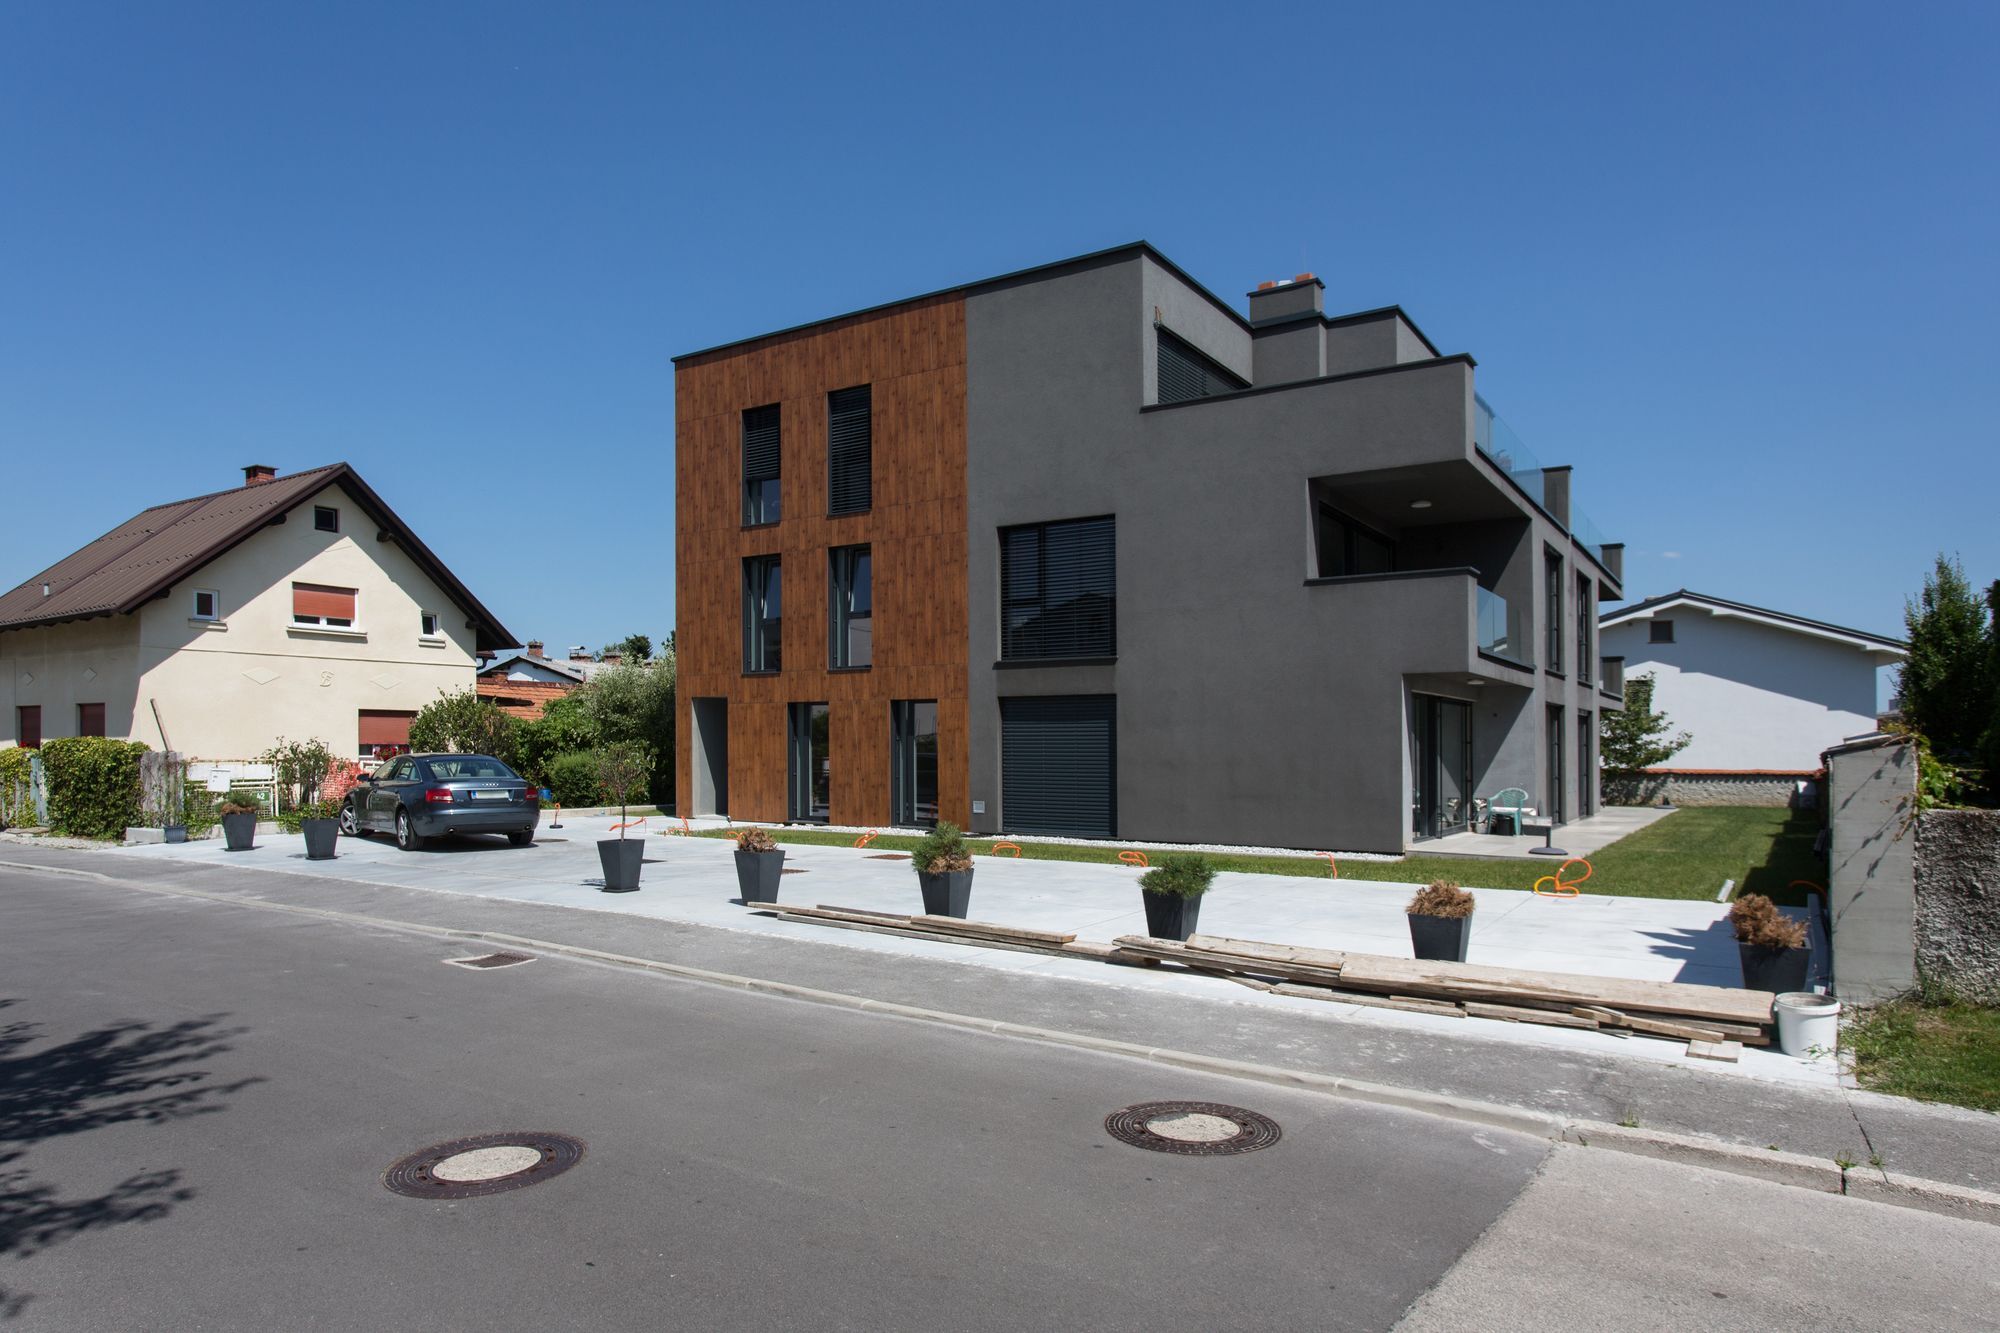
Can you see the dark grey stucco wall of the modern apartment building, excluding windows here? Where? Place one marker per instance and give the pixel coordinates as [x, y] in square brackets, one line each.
[1253, 708]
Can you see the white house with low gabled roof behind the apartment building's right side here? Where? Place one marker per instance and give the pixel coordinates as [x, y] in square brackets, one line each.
[1761, 692]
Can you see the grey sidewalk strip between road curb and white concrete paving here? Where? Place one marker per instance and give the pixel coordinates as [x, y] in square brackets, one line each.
[1445, 1060]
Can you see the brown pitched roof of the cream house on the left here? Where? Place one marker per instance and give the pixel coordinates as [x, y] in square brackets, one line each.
[159, 547]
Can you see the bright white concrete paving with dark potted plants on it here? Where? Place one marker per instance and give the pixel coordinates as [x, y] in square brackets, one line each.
[695, 882]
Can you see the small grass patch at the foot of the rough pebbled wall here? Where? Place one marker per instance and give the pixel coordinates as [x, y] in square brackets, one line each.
[1943, 1052]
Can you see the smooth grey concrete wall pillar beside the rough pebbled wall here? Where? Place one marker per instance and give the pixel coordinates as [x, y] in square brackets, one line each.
[1871, 800]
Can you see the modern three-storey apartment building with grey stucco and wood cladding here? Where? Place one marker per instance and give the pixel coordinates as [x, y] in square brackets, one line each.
[1087, 551]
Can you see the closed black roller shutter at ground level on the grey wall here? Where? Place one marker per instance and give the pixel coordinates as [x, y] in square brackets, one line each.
[1059, 766]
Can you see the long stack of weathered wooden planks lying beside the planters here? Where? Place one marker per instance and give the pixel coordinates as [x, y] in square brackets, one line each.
[1557, 1000]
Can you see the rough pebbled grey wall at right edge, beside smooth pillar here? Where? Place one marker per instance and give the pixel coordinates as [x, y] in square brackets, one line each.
[1959, 902]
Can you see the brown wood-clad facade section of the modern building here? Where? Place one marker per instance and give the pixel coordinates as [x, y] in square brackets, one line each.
[915, 361]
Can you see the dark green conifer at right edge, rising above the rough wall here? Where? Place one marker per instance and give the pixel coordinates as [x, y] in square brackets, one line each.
[1947, 682]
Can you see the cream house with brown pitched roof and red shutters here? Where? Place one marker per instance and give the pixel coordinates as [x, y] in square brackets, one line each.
[285, 607]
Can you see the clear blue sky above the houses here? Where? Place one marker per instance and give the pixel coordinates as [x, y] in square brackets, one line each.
[1733, 263]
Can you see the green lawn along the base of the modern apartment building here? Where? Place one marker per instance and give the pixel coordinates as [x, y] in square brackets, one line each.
[1687, 856]
